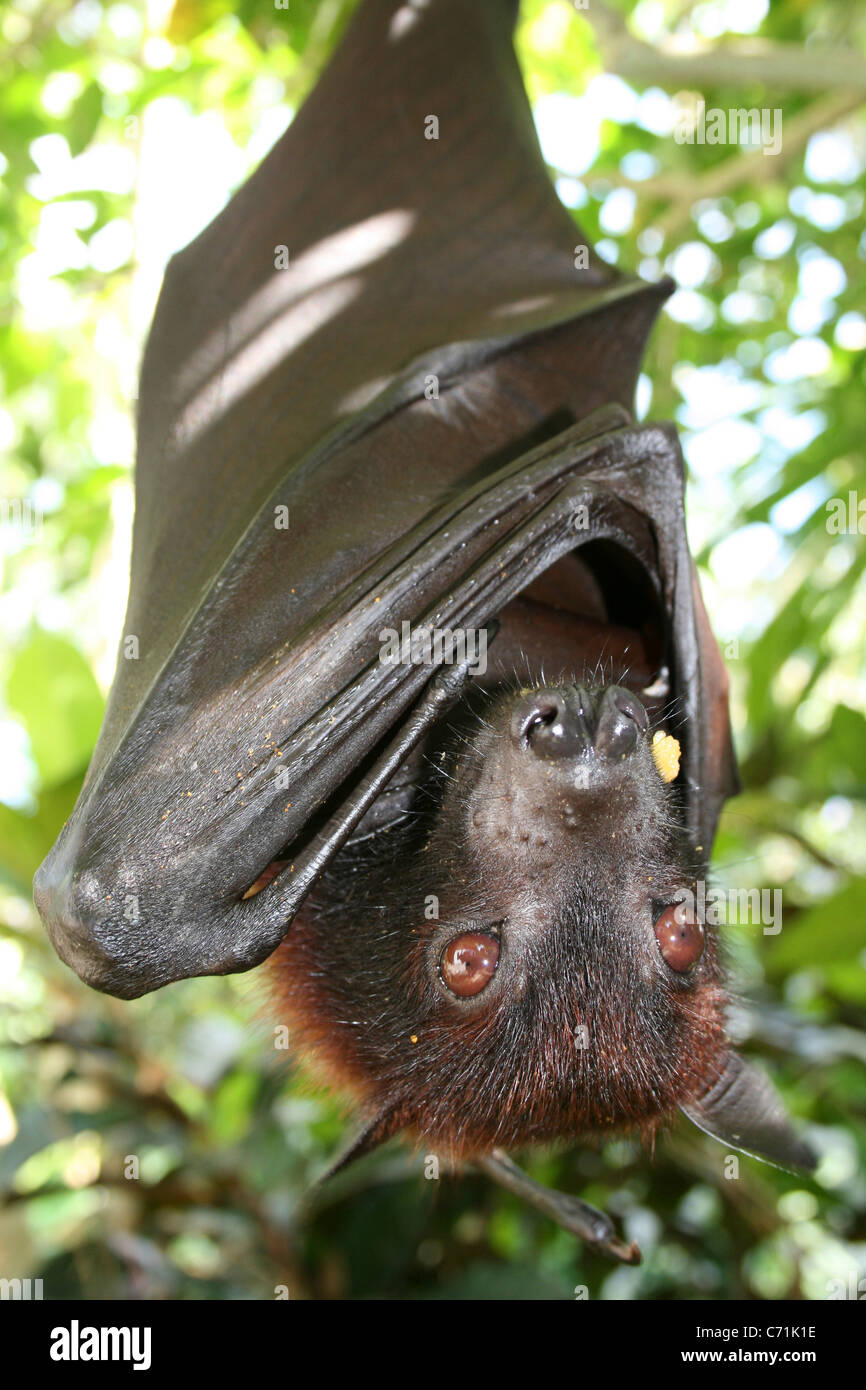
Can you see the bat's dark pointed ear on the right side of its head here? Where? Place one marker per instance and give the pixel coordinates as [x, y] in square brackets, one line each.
[744, 1111]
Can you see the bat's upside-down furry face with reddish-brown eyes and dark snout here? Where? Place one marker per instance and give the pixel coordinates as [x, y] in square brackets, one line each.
[507, 965]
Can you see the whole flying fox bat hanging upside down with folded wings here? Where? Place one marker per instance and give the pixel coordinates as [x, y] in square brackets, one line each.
[384, 415]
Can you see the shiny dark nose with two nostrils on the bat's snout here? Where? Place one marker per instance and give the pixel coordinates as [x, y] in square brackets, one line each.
[573, 722]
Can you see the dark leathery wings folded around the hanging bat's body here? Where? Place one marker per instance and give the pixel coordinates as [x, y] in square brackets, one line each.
[401, 426]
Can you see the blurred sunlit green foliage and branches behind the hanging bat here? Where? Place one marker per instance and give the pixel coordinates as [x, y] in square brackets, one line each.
[124, 127]
